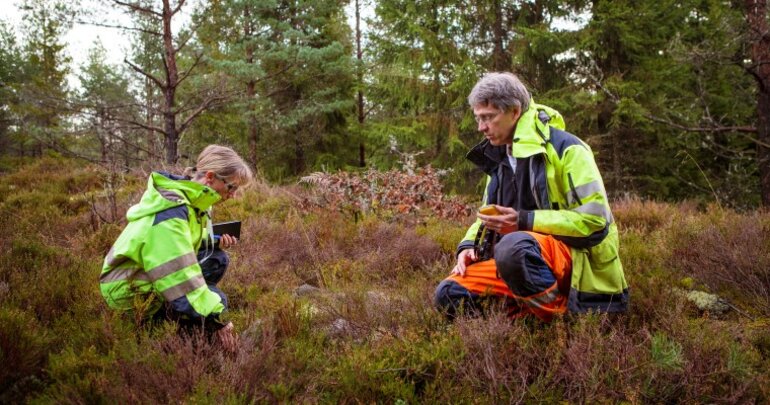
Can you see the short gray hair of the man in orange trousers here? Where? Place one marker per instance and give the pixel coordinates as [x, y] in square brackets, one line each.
[503, 90]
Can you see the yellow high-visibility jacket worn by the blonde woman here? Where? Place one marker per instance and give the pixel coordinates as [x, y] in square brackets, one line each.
[154, 258]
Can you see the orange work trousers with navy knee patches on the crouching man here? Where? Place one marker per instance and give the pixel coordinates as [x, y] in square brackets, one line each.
[534, 274]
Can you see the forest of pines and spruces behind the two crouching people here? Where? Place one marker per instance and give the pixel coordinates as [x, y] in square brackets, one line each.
[673, 96]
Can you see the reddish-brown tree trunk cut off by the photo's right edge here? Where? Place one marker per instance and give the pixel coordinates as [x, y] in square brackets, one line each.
[759, 39]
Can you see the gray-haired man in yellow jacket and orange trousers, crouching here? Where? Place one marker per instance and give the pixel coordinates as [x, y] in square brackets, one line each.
[544, 241]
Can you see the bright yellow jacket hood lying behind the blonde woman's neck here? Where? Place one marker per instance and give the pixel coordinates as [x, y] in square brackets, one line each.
[166, 191]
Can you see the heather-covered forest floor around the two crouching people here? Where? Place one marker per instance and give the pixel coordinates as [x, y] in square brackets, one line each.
[335, 305]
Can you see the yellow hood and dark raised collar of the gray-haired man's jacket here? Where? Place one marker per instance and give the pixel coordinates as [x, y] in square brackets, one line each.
[529, 138]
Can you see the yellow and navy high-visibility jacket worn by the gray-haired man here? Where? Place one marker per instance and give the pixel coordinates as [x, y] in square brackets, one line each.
[559, 191]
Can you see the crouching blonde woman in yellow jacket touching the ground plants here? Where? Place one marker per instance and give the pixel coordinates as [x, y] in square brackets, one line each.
[153, 271]
